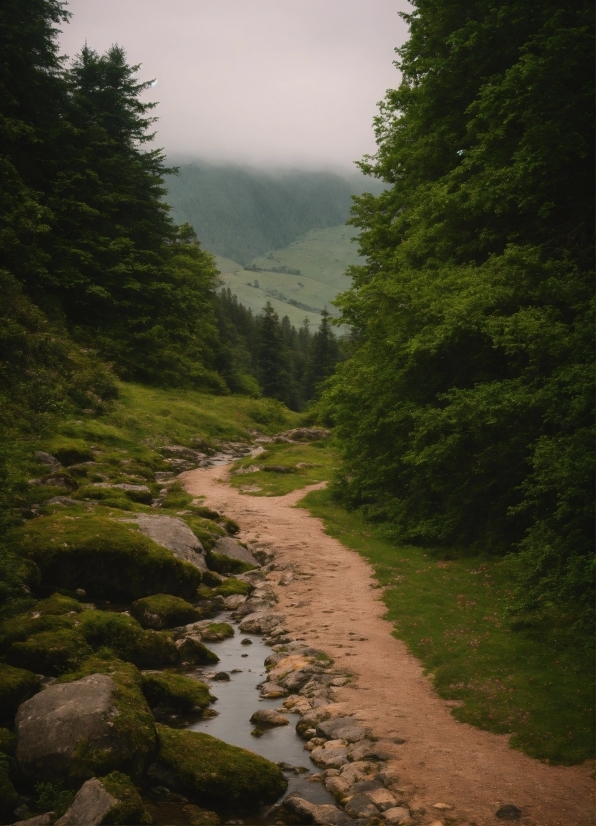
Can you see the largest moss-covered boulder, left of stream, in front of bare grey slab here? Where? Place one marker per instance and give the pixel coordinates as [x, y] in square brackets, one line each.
[107, 558]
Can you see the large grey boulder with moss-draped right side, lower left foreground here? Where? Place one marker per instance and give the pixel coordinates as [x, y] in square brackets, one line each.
[68, 720]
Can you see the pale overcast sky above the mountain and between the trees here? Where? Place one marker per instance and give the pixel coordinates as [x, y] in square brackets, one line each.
[276, 82]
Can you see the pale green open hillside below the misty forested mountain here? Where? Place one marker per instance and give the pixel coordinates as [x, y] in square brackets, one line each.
[314, 273]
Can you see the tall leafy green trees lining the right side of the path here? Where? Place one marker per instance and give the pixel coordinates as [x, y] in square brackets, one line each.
[466, 413]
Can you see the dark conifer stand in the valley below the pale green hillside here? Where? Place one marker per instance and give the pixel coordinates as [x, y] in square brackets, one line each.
[266, 354]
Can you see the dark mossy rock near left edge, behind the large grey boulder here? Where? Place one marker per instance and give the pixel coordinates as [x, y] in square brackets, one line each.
[50, 652]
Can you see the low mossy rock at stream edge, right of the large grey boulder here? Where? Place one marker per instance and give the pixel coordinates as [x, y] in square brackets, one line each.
[214, 773]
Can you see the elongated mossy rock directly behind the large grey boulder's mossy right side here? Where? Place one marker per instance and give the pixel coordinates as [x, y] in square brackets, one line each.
[125, 637]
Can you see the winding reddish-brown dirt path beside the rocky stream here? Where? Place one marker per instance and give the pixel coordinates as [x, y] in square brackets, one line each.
[442, 760]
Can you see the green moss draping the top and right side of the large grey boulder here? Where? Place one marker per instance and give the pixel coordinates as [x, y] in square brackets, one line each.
[133, 723]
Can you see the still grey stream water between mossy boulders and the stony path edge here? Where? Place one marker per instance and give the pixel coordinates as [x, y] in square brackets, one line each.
[239, 698]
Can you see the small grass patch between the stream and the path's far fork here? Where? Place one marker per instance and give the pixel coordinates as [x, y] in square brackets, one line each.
[307, 464]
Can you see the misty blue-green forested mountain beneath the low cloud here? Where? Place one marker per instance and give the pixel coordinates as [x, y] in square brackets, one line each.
[241, 212]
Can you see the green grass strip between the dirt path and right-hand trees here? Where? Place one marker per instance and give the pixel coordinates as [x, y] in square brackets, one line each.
[536, 684]
